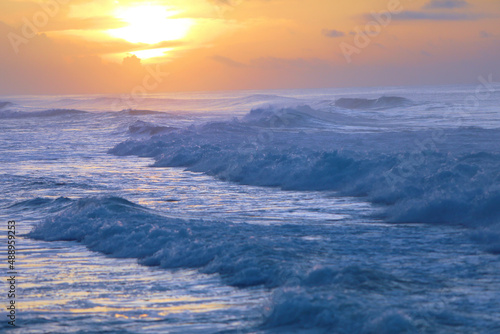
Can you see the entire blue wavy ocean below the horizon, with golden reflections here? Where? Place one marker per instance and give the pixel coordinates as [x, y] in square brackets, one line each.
[356, 210]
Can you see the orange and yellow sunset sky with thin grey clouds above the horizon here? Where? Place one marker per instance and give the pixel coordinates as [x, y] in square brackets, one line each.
[111, 46]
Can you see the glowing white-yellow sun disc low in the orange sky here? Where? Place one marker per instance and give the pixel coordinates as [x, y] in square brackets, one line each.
[150, 24]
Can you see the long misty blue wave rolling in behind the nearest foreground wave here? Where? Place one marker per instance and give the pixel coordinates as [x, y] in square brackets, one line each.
[418, 177]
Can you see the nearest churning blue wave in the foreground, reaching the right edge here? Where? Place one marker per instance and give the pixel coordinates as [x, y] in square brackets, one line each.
[318, 283]
